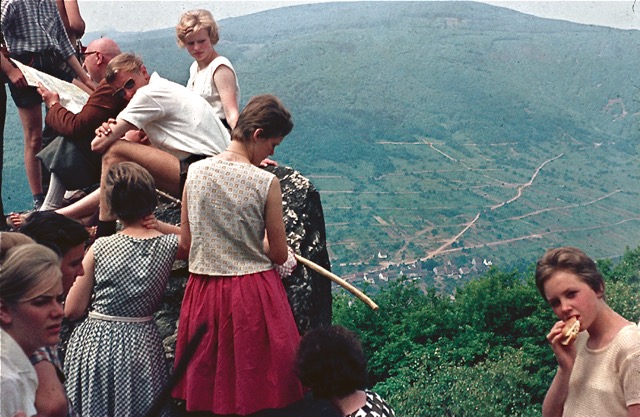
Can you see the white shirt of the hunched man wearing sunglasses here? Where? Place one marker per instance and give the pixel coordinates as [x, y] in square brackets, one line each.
[176, 120]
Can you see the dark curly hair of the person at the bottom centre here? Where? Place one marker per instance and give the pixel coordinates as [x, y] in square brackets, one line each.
[331, 362]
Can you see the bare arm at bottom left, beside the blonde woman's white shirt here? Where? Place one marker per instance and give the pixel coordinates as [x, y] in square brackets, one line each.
[51, 399]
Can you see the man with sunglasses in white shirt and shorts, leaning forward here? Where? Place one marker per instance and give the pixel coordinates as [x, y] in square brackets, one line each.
[181, 128]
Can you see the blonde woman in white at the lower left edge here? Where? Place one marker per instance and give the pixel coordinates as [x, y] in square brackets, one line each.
[31, 314]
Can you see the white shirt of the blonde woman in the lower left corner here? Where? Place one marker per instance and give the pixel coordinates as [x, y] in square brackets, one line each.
[18, 379]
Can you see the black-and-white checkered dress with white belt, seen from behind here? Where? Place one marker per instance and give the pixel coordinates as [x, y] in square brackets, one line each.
[115, 368]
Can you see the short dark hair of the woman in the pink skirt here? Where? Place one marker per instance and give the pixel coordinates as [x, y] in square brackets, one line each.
[264, 112]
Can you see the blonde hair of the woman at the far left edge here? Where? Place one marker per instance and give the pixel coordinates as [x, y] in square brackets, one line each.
[26, 267]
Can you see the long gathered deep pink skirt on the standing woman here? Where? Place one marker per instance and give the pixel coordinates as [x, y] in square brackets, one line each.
[245, 362]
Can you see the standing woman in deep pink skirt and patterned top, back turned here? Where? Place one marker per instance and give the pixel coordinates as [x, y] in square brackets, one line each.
[232, 224]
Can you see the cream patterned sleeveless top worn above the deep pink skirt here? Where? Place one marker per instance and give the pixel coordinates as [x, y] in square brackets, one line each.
[226, 203]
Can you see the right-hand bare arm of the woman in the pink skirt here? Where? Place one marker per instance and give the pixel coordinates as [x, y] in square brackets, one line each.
[275, 244]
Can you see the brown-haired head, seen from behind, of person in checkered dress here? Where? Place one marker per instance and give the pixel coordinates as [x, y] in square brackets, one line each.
[131, 192]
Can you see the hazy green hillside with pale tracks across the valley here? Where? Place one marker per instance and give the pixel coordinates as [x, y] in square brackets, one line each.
[443, 130]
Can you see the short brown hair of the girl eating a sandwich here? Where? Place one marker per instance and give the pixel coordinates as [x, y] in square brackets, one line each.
[571, 260]
